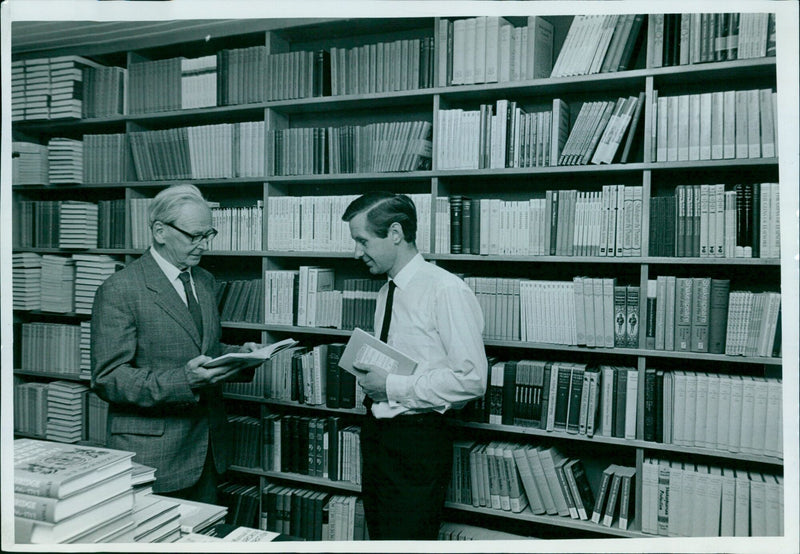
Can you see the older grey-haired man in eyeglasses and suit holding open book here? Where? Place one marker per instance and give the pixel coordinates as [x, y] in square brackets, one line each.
[154, 324]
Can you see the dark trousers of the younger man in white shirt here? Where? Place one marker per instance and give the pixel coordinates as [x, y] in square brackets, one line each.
[406, 468]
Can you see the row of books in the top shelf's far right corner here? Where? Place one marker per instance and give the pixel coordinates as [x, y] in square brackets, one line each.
[681, 39]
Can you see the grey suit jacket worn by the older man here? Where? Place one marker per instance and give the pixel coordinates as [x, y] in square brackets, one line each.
[142, 337]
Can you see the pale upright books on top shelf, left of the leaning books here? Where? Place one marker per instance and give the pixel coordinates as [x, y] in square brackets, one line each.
[490, 49]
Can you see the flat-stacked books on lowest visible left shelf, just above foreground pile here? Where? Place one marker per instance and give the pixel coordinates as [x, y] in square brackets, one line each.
[67, 404]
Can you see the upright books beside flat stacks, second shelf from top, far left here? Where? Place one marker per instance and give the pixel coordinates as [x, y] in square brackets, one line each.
[107, 159]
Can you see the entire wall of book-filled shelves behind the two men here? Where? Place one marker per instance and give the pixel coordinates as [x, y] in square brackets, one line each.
[607, 185]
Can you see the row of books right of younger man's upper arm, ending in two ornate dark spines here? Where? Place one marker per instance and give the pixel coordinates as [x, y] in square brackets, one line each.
[582, 312]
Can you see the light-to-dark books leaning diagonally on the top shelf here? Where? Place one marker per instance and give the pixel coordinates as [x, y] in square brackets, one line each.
[599, 44]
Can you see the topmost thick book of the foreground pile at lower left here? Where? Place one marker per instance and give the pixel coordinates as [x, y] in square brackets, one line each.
[56, 470]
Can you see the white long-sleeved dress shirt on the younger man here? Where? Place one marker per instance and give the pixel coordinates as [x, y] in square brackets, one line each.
[436, 320]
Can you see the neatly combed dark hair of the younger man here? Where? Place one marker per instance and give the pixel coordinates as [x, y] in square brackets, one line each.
[383, 209]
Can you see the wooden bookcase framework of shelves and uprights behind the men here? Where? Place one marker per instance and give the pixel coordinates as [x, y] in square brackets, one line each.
[510, 184]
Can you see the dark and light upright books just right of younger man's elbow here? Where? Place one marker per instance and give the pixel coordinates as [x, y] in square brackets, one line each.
[575, 398]
